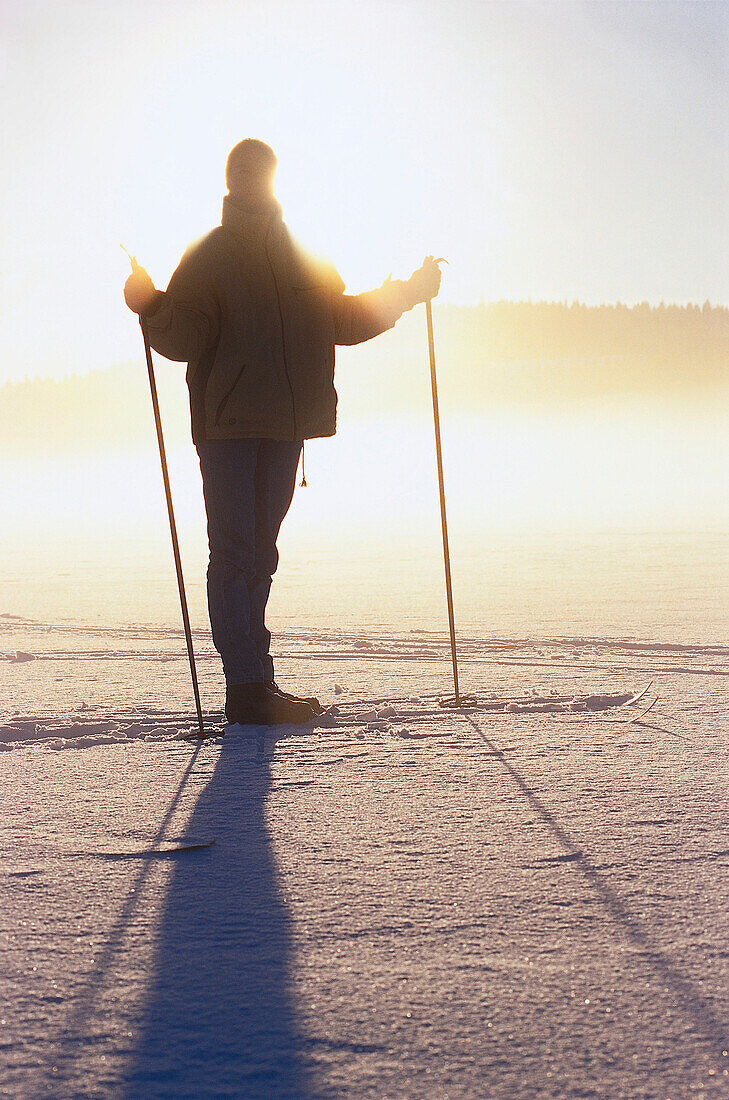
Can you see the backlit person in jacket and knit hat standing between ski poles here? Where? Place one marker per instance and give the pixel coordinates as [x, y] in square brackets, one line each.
[258, 320]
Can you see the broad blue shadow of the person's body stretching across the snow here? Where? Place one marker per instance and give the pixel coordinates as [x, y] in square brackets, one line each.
[219, 1018]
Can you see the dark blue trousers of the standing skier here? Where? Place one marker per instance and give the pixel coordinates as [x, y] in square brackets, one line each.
[249, 487]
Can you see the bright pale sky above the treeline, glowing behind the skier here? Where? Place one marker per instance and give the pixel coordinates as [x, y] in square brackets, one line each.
[548, 150]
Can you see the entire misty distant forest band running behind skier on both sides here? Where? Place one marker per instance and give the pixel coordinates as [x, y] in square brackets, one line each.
[520, 354]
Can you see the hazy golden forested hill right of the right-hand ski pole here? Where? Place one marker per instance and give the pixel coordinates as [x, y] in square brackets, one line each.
[538, 351]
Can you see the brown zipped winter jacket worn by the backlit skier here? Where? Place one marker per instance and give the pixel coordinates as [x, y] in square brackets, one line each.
[257, 320]
